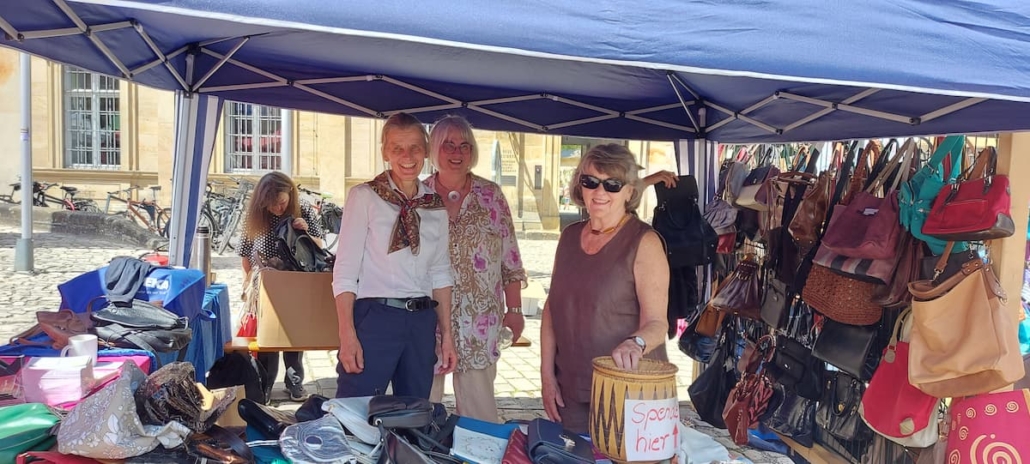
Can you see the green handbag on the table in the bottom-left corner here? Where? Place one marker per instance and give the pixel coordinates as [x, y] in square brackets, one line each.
[25, 427]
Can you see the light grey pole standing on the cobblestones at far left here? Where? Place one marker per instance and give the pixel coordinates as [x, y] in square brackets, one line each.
[24, 260]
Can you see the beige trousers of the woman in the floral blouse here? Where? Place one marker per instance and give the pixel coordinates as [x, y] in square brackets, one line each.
[473, 393]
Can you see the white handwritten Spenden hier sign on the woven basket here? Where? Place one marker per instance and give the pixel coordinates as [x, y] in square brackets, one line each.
[651, 432]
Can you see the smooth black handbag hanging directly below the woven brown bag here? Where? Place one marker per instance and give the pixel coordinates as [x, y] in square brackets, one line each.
[847, 348]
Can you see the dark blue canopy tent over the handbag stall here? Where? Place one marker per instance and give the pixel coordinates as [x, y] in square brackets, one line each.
[757, 71]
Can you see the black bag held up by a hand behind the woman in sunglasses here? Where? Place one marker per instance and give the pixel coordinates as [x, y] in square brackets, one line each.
[690, 240]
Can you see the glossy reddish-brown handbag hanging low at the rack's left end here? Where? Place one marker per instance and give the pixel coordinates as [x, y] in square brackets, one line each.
[750, 397]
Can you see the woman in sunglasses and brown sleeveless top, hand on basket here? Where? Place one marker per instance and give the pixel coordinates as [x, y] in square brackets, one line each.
[609, 292]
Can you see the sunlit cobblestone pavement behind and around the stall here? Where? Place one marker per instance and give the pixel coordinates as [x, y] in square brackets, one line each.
[60, 258]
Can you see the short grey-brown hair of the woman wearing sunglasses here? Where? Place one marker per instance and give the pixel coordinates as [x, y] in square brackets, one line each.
[616, 161]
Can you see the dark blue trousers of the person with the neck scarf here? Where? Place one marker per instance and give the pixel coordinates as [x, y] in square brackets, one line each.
[399, 347]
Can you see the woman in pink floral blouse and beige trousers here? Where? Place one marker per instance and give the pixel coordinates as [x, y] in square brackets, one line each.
[487, 266]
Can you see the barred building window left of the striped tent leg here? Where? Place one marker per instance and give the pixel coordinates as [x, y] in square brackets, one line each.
[93, 138]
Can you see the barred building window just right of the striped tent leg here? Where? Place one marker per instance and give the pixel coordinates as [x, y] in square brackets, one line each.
[254, 138]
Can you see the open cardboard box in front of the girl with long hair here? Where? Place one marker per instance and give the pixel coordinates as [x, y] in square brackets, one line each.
[297, 311]
